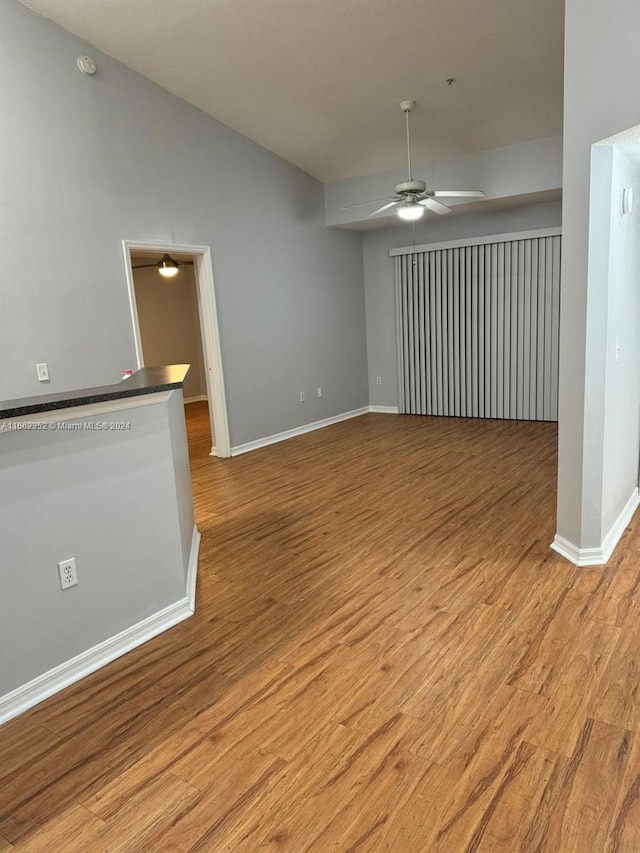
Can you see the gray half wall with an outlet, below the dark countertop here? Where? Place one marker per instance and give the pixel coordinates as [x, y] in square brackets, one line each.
[119, 501]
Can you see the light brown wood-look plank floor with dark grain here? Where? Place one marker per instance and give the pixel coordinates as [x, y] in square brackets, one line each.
[386, 656]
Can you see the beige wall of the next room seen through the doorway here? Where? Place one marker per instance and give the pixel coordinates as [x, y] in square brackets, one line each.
[170, 323]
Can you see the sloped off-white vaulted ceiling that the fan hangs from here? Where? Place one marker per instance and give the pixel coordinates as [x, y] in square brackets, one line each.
[318, 81]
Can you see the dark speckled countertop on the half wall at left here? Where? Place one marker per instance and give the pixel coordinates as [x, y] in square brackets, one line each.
[148, 380]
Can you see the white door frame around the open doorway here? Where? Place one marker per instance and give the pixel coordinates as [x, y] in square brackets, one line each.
[209, 329]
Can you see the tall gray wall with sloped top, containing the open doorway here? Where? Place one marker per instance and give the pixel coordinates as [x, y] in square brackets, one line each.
[87, 162]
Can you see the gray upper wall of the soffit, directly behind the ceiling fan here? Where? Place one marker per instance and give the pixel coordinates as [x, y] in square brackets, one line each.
[525, 169]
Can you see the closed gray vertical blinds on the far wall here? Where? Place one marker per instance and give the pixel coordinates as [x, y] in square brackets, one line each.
[478, 329]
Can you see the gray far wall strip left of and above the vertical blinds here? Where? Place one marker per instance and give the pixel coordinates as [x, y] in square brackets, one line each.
[379, 282]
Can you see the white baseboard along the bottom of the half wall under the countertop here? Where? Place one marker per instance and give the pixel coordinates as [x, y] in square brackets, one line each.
[40, 688]
